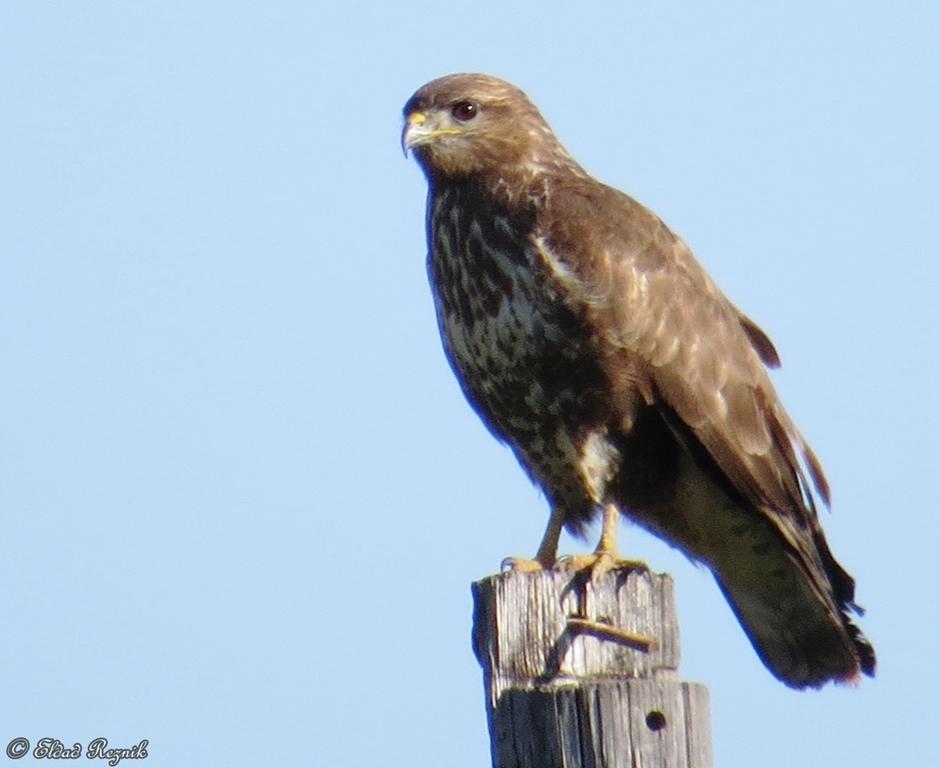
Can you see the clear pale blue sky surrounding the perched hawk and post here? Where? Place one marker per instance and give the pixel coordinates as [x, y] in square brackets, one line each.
[242, 499]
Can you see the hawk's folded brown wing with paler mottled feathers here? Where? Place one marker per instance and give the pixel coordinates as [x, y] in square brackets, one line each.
[678, 340]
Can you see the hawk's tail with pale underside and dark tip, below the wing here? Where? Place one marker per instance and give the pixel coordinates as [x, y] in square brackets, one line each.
[792, 598]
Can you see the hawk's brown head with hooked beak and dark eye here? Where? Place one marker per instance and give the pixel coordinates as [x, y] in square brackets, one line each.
[467, 124]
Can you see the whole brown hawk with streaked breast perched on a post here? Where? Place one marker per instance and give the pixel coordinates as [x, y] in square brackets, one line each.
[589, 339]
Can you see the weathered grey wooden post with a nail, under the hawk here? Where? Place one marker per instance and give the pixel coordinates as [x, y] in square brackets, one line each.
[582, 673]
